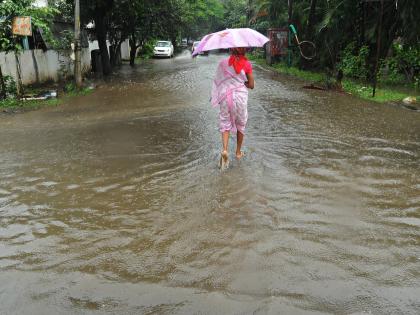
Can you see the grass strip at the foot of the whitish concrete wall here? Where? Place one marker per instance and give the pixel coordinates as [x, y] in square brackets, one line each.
[13, 104]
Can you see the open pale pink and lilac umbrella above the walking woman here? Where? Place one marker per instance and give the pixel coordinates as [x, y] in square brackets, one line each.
[230, 38]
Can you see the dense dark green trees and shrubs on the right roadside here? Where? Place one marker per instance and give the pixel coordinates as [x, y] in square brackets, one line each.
[345, 33]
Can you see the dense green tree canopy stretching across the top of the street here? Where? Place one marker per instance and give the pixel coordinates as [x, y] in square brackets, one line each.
[348, 34]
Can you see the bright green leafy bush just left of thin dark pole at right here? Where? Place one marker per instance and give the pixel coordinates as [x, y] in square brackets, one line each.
[354, 62]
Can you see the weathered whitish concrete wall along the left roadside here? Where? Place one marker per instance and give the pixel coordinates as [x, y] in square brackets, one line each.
[38, 66]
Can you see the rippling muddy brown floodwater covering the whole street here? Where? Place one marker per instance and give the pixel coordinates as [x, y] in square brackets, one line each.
[113, 203]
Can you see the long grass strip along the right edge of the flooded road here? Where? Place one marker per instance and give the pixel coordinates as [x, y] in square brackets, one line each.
[359, 89]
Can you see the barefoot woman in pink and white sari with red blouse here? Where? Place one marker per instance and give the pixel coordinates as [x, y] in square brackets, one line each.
[230, 92]
